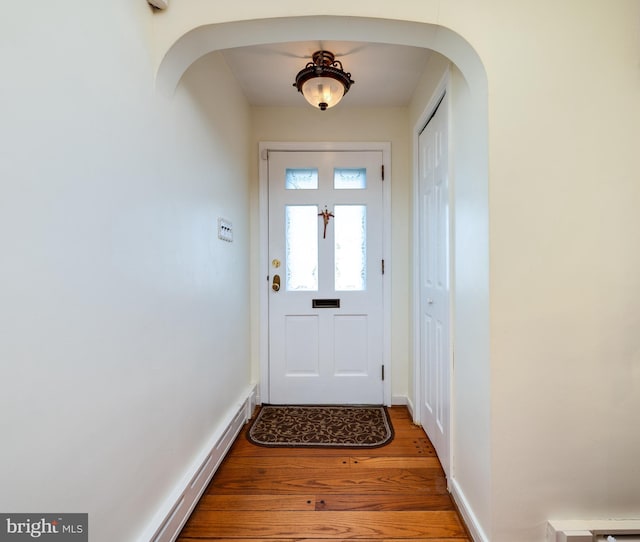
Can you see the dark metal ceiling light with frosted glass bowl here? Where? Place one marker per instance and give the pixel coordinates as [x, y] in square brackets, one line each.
[323, 82]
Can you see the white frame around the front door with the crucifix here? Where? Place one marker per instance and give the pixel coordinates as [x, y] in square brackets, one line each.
[263, 284]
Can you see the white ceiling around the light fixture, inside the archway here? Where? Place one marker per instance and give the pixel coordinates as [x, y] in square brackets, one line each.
[384, 75]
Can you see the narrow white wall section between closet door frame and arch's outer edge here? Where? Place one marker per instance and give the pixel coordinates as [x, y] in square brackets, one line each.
[472, 467]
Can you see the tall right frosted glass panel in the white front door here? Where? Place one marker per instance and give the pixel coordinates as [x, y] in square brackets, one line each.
[350, 247]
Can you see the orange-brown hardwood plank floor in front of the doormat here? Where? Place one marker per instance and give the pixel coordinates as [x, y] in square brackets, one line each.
[397, 492]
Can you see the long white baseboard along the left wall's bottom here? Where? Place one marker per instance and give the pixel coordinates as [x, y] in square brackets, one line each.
[167, 523]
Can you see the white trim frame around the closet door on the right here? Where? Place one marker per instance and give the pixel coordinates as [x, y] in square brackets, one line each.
[442, 87]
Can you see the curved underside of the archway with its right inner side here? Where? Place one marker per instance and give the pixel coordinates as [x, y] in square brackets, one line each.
[471, 464]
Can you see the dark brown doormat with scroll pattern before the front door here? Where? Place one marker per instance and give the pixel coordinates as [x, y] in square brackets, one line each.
[321, 427]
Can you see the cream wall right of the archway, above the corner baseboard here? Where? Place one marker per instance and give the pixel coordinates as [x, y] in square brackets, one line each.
[565, 271]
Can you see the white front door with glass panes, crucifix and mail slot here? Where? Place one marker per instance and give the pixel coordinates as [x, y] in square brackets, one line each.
[325, 277]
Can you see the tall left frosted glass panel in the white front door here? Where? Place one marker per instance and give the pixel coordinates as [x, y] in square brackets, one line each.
[301, 232]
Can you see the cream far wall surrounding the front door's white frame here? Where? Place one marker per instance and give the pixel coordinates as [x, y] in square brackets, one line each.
[348, 124]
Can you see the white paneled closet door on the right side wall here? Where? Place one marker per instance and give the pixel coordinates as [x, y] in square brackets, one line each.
[435, 365]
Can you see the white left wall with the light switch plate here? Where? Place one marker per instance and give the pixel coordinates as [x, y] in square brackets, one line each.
[123, 320]
